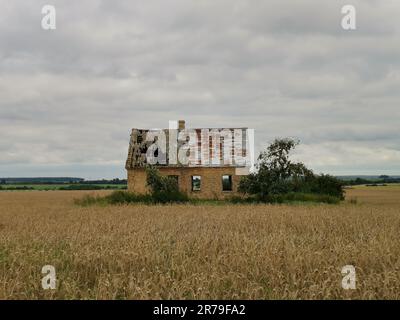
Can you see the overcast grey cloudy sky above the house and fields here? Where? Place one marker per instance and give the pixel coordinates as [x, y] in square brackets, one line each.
[69, 97]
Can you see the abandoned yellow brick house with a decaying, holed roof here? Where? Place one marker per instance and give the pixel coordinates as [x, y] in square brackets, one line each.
[212, 169]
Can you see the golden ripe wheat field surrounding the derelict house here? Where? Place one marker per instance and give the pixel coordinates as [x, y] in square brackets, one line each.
[199, 252]
